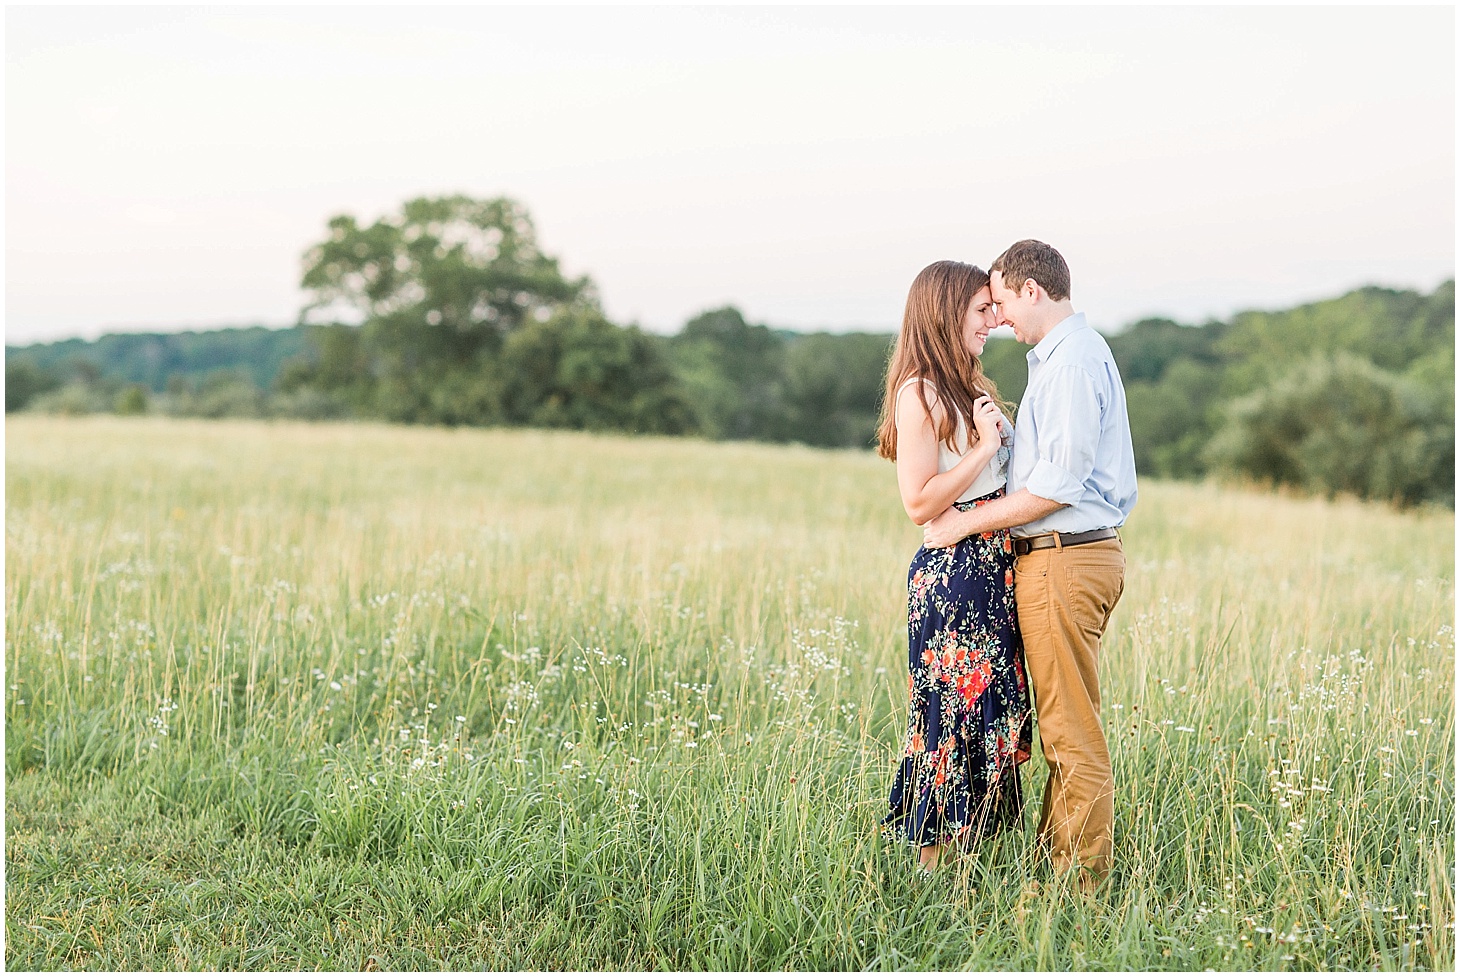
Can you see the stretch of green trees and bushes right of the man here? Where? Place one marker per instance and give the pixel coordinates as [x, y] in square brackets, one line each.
[1188, 386]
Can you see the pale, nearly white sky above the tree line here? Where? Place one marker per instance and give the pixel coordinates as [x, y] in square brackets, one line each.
[167, 167]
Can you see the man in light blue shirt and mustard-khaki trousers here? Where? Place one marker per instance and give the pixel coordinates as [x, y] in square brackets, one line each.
[1072, 481]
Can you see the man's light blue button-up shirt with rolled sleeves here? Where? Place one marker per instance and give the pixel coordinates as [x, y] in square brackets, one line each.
[1072, 442]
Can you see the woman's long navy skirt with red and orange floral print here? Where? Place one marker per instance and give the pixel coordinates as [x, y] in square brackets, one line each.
[969, 719]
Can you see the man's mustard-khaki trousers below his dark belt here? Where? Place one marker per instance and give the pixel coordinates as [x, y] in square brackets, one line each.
[1065, 598]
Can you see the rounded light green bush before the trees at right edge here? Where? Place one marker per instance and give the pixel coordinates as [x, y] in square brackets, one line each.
[1341, 424]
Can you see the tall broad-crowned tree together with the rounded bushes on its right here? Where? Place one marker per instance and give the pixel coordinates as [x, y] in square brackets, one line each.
[468, 322]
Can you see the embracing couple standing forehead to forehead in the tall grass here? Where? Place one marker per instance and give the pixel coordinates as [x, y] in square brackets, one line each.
[1021, 564]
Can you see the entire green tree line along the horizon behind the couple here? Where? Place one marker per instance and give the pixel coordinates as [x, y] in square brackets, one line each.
[464, 321]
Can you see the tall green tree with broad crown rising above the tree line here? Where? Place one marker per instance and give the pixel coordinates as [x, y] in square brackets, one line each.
[437, 288]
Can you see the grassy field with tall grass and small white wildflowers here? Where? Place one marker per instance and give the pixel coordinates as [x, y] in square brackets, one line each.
[363, 697]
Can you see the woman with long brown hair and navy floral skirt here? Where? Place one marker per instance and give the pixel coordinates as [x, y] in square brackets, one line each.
[969, 725]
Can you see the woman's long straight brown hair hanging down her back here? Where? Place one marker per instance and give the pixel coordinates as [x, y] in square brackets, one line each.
[931, 345]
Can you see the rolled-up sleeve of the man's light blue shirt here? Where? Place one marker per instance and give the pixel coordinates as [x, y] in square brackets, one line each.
[1068, 426]
